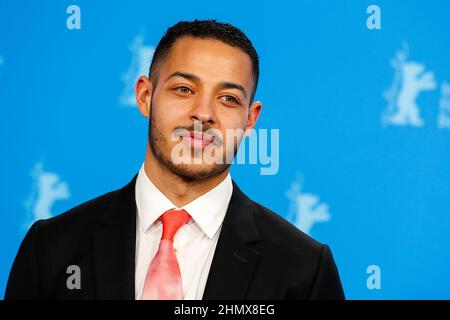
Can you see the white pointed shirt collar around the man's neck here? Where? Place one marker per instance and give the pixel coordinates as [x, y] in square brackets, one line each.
[208, 210]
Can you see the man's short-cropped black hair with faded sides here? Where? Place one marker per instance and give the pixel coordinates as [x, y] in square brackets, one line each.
[204, 29]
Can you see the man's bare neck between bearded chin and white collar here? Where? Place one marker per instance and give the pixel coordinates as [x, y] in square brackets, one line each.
[179, 191]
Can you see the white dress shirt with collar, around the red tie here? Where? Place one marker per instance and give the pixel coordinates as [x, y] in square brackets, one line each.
[194, 243]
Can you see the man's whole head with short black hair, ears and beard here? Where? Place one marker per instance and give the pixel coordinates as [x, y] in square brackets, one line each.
[203, 77]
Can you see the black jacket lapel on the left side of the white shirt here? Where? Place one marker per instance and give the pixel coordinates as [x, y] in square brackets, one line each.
[114, 247]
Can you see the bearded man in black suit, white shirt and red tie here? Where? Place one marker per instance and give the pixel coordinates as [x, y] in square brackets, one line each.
[181, 229]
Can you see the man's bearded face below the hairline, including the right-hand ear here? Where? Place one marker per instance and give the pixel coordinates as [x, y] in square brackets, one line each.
[201, 97]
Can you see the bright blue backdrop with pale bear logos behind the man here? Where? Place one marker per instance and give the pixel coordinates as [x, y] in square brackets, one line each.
[360, 95]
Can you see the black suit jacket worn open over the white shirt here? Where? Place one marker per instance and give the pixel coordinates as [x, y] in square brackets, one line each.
[259, 255]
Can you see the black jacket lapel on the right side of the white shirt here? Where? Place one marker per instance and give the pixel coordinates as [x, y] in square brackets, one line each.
[234, 260]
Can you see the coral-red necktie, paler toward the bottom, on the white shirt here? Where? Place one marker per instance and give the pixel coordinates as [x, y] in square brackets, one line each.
[163, 280]
